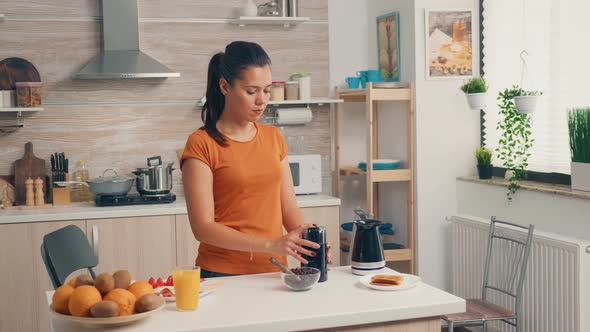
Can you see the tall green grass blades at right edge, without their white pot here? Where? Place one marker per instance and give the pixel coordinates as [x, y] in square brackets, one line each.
[578, 120]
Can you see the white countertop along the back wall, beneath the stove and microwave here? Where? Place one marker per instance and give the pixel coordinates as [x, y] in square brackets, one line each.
[82, 211]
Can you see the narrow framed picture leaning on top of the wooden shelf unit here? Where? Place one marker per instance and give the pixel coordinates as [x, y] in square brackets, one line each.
[388, 46]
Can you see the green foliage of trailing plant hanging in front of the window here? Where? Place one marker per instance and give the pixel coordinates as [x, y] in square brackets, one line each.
[515, 141]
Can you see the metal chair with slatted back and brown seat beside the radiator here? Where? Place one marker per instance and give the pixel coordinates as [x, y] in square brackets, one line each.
[504, 273]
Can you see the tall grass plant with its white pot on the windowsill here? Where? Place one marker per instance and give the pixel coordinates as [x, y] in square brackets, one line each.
[579, 130]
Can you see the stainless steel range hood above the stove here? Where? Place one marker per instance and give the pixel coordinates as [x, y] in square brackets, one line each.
[121, 56]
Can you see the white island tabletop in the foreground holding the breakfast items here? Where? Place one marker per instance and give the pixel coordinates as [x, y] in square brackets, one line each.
[262, 303]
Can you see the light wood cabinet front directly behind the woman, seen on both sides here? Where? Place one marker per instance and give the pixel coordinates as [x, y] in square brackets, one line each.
[187, 245]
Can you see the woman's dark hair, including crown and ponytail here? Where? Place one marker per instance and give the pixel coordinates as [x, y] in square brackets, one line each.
[228, 65]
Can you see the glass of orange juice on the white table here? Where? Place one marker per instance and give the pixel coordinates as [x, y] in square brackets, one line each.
[187, 280]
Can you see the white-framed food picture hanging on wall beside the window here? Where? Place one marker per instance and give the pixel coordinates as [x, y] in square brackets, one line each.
[449, 43]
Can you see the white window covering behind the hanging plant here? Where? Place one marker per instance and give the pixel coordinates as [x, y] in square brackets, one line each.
[555, 34]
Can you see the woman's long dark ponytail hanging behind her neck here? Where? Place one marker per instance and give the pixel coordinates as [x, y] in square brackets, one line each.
[215, 102]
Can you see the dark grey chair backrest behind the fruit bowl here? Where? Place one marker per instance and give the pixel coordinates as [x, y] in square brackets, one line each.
[67, 250]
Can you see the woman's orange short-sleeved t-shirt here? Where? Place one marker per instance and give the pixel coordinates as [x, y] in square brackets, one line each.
[247, 180]
